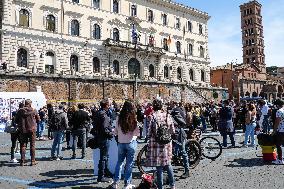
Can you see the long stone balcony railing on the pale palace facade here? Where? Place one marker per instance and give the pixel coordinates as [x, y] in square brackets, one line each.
[129, 45]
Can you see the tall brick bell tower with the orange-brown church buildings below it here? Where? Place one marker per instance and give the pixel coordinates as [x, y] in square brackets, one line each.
[246, 79]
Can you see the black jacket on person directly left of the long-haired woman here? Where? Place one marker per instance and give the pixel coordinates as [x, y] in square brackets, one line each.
[102, 126]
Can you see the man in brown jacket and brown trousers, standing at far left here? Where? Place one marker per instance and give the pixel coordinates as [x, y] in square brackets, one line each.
[26, 119]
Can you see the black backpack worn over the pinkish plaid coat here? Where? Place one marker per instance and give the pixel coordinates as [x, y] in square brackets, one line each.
[163, 135]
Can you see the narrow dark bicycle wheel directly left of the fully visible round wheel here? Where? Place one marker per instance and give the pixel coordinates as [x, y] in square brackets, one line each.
[193, 149]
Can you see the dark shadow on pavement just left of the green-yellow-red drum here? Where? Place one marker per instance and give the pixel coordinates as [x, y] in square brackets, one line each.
[254, 162]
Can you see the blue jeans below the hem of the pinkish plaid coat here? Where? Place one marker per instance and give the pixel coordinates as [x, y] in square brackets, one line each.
[170, 172]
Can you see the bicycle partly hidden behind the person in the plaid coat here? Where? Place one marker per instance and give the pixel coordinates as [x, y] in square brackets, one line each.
[193, 149]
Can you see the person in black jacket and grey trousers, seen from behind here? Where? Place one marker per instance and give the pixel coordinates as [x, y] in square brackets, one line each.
[80, 122]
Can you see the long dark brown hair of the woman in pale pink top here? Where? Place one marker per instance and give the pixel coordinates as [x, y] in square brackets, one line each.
[127, 118]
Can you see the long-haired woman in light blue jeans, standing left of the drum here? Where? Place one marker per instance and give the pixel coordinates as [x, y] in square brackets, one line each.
[250, 125]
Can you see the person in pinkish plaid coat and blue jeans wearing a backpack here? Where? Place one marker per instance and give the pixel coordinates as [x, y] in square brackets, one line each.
[161, 160]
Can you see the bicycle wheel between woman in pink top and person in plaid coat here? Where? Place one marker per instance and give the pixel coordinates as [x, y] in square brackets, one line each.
[142, 160]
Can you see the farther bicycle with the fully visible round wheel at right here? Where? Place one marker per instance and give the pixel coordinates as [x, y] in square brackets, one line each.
[211, 147]
